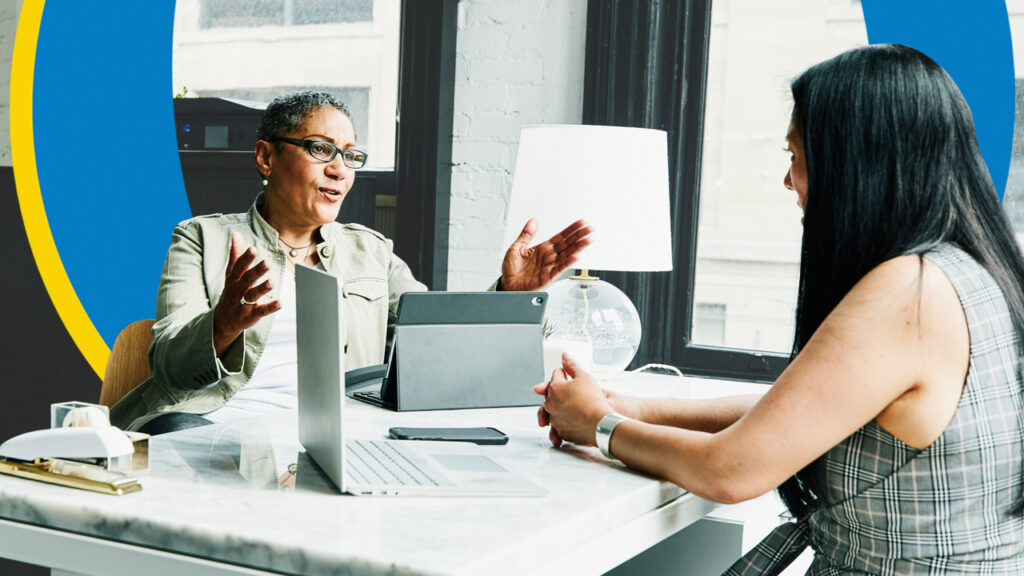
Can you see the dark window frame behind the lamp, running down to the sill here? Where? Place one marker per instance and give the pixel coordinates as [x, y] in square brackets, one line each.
[647, 66]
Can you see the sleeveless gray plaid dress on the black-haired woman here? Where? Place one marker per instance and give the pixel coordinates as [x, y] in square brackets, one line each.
[955, 508]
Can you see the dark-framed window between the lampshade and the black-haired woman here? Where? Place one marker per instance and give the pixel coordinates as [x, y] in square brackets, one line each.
[715, 76]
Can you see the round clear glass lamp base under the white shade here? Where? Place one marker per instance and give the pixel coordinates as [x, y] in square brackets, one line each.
[594, 322]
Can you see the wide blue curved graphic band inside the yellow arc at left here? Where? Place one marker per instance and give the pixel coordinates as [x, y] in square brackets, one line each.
[107, 153]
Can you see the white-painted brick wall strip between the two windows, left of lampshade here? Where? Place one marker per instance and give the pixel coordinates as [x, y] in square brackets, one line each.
[518, 64]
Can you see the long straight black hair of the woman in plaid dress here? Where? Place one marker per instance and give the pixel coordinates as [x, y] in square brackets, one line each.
[893, 169]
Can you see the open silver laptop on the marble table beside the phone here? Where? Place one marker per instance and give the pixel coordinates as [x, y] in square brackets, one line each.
[374, 467]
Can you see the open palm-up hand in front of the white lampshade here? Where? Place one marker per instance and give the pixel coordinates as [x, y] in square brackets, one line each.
[532, 268]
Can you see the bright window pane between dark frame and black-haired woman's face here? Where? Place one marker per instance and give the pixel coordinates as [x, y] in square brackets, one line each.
[749, 233]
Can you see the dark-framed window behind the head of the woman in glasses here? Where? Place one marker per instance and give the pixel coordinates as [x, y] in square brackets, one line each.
[386, 59]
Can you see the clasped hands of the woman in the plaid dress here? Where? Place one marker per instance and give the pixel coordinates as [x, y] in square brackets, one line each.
[574, 405]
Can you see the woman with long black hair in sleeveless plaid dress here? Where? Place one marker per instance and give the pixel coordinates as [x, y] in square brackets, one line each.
[897, 434]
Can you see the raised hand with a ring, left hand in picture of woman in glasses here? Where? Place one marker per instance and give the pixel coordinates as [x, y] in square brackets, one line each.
[238, 308]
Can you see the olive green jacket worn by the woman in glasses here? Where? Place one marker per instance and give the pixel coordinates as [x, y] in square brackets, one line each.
[188, 376]
